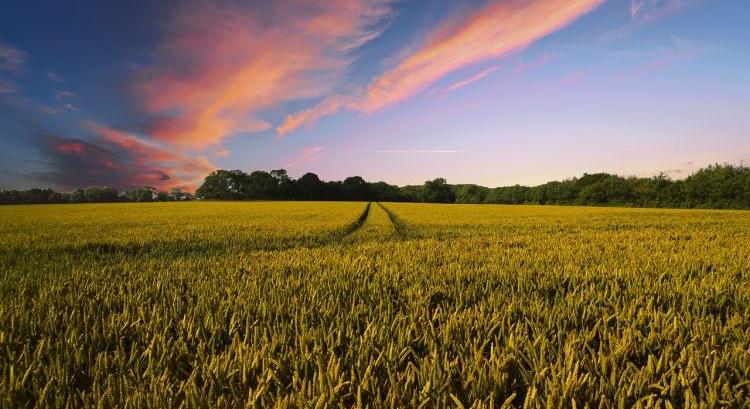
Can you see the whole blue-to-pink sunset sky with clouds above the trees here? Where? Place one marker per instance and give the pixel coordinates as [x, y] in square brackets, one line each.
[493, 92]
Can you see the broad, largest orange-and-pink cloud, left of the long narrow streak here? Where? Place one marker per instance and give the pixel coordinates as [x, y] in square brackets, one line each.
[222, 63]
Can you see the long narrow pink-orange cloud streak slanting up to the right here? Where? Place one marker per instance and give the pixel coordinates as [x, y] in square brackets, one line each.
[495, 30]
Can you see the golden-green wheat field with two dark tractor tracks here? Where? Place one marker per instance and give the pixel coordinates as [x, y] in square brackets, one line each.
[271, 304]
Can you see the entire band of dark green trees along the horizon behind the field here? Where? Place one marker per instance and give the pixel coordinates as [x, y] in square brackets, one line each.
[716, 186]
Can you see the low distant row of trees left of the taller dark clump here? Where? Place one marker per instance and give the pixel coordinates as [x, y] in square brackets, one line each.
[93, 194]
